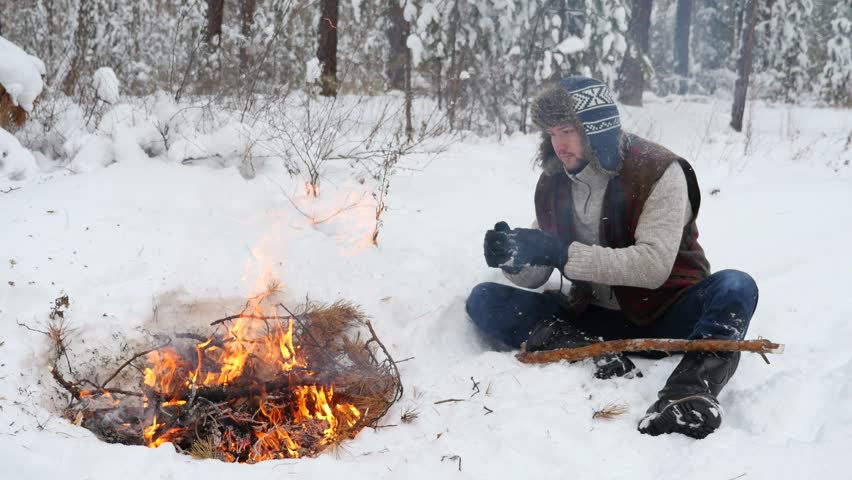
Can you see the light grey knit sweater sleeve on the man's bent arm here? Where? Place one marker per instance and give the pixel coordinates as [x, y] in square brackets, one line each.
[648, 263]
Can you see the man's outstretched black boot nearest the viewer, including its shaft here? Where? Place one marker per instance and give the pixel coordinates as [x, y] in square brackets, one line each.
[688, 404]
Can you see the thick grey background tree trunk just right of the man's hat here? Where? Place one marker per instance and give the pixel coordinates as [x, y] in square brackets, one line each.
[632, 67]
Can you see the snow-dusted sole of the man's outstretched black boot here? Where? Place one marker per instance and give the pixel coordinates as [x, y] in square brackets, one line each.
[694, 416]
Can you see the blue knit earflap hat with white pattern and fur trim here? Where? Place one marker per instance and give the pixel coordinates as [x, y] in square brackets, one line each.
[587, 102]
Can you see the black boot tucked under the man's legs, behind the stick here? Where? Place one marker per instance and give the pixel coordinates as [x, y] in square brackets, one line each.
[555, 333]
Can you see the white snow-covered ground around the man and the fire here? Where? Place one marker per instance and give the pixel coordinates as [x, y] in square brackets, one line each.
[147, 232]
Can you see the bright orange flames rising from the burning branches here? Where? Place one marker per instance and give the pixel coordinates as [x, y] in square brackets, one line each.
[254, 353]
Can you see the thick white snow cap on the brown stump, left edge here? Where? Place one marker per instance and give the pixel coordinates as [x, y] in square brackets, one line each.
[20, 74]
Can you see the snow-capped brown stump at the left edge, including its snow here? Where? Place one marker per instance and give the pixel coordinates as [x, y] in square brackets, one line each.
[20, 84]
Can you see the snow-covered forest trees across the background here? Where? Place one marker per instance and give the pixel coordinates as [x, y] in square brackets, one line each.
[480, 60]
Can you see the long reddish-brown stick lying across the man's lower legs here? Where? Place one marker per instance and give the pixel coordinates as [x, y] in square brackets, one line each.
[761, 346]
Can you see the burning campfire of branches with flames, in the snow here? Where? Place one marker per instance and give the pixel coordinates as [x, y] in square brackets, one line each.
[267, 383]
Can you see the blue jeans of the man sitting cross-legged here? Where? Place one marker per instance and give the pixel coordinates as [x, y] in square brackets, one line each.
[720, 307]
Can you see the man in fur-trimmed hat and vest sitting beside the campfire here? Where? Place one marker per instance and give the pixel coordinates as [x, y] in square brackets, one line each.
[616, 214]
